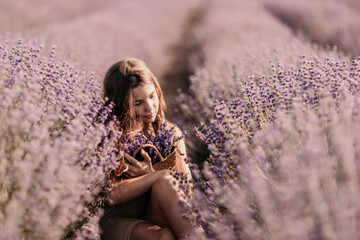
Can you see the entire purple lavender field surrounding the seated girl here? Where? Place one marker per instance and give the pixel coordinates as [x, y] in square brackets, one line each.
[268, 92]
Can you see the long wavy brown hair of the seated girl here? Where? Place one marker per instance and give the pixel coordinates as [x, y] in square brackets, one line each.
[119, 80]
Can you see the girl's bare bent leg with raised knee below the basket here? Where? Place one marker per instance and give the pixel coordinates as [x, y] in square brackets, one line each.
[165, 208]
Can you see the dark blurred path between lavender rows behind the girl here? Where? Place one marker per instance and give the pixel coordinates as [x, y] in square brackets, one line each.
[185, 54]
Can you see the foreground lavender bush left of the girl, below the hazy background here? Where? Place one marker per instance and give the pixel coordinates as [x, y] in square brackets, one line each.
[51, 127]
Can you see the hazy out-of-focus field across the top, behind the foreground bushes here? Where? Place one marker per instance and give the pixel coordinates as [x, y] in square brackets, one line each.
[174, 37]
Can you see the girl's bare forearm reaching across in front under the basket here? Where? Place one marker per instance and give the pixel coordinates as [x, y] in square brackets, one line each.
[128, 189]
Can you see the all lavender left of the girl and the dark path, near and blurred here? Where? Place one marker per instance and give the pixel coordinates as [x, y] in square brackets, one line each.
[51, 164]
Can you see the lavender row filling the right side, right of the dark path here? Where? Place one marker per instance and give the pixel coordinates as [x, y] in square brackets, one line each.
[280, 118]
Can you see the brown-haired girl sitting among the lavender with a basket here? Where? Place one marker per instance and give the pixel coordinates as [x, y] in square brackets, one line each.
[139, 106]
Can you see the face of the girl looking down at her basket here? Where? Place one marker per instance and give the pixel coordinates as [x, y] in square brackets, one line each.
[146, 102]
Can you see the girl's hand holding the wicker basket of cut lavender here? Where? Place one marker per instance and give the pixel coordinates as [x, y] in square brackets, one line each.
[137, 168]
